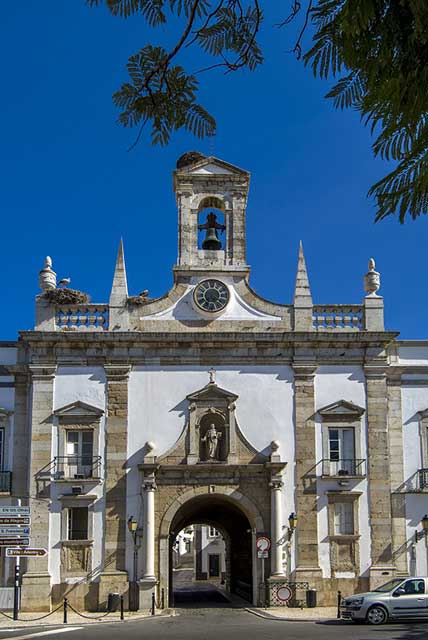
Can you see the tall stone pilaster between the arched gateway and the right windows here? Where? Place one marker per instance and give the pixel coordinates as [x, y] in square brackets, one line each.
[306, 484]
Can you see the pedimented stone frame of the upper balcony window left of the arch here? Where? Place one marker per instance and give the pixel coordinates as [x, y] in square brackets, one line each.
[79, 416]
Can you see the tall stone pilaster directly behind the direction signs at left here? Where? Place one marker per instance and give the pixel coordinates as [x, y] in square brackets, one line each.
[36, 581]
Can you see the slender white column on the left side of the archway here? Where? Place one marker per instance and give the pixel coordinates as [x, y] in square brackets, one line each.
[148, 581]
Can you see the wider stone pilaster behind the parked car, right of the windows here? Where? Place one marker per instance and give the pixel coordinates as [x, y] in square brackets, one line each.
[379, 475]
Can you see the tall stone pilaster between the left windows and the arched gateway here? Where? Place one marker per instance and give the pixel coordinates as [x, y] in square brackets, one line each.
[114, 577]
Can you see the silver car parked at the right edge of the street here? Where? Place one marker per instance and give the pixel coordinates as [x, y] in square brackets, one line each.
[399, 598]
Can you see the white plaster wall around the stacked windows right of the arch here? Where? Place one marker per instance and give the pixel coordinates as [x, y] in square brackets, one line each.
[334, 383]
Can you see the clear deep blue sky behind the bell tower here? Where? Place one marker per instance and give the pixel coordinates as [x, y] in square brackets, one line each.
[70, 189]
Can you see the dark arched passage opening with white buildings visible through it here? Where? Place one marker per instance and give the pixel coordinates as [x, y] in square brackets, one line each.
[219, 553]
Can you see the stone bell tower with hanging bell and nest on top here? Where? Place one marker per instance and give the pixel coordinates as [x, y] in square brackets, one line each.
[211, 200]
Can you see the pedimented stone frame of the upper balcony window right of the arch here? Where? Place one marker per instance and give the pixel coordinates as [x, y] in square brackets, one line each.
[342, 415]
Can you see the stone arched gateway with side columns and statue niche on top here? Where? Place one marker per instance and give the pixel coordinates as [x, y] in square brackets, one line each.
[213, 476]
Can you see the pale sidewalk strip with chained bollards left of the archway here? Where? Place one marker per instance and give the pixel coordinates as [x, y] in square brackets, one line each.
[73, 619]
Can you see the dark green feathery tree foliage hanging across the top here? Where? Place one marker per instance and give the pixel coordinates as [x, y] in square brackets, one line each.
[377, 51]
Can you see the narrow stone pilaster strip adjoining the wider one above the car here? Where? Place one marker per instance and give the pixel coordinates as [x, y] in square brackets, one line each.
[398, 506]
